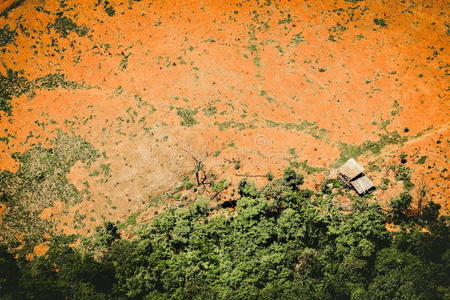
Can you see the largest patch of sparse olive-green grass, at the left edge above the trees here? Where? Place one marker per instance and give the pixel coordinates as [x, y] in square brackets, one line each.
[37, 184]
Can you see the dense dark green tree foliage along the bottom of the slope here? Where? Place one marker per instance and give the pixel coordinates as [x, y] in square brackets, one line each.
[281, 242]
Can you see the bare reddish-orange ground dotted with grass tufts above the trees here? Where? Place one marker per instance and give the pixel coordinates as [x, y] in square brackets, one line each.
[106, 105]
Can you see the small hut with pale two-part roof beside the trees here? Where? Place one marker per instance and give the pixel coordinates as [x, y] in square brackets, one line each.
[352, 174]
